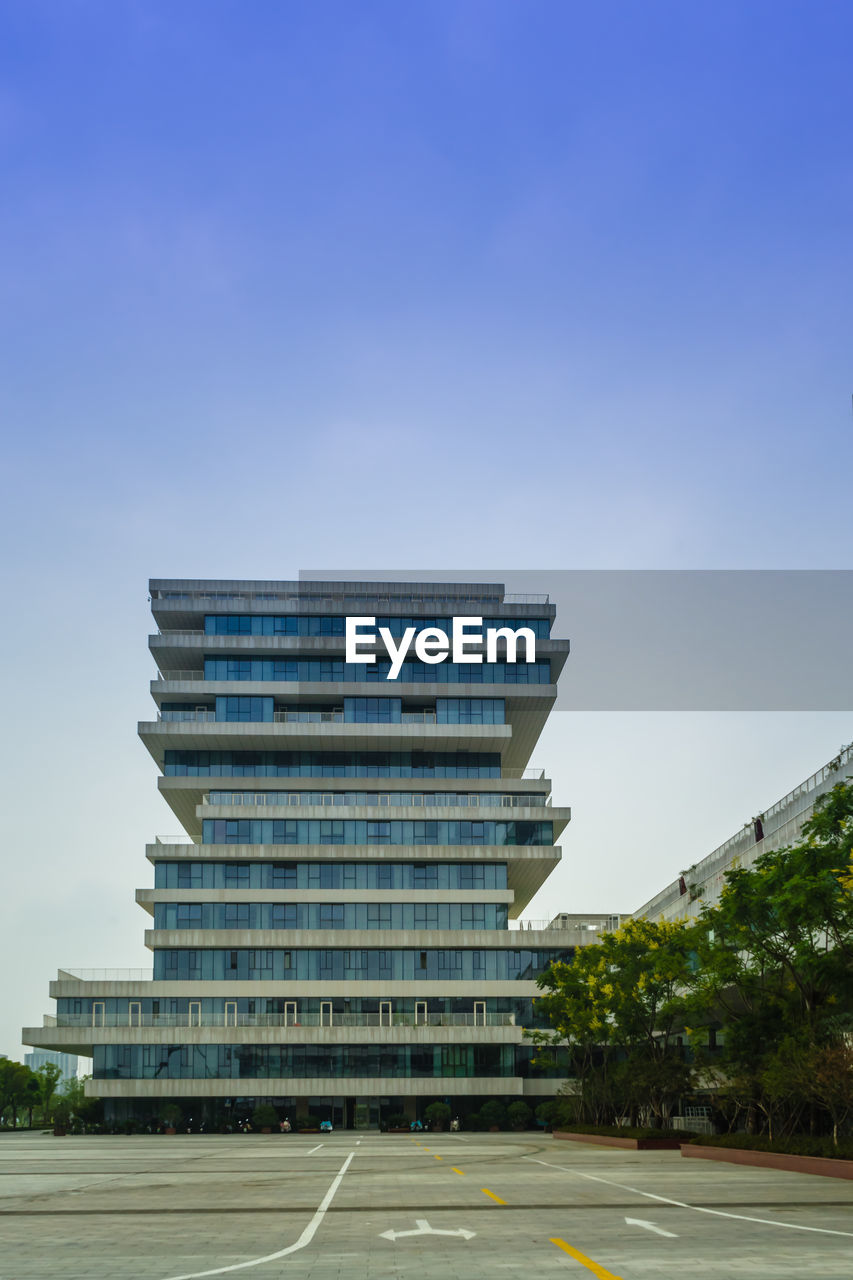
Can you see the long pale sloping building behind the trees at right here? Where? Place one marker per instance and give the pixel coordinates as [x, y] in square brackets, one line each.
[776, 829]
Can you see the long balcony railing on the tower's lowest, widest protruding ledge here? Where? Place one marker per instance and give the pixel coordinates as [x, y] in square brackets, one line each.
[286, 1021]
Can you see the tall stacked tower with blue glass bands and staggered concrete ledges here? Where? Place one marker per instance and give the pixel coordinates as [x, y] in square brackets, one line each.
[336, 930]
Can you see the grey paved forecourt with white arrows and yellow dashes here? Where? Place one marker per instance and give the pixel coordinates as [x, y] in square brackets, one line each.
[161, 1209]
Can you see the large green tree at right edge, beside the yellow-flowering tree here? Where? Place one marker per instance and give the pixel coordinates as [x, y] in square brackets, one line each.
[776, 971]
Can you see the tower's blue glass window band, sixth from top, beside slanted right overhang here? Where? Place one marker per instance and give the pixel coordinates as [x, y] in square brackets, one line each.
[330, 875]
